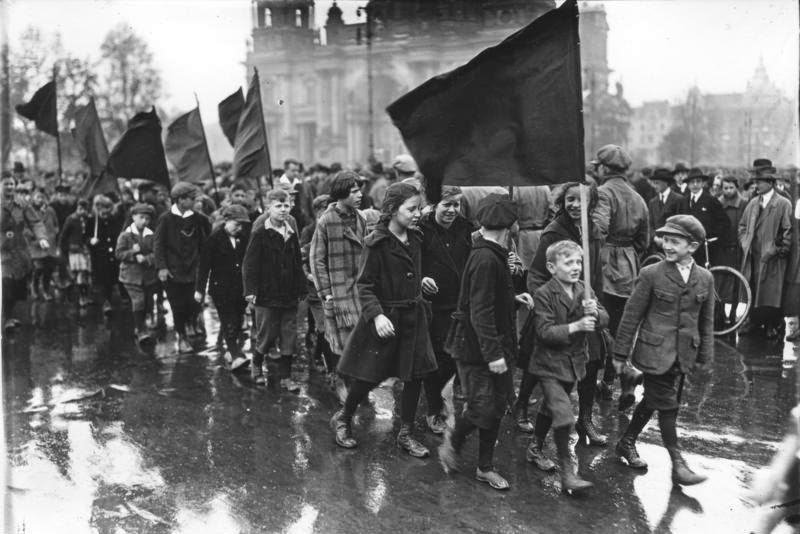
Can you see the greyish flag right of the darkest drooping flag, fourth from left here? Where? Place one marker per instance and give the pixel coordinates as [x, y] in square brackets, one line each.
[187, 150]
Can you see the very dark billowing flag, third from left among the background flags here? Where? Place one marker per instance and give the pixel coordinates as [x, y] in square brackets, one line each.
[139, 153]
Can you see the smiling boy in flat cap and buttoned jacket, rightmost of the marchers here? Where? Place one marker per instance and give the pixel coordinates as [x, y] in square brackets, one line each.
[672, 306]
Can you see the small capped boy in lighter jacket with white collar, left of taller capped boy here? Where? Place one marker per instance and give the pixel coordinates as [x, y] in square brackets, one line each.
[137, 270]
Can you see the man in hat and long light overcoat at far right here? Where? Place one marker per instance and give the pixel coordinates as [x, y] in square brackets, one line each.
[765, 233]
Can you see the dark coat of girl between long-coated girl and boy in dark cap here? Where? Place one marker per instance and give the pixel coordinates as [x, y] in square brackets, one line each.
[444, 255]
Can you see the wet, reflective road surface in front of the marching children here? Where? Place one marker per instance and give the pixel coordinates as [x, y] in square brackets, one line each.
[103, 439]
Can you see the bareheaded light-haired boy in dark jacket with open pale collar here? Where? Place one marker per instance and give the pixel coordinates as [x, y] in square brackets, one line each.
[274, 282]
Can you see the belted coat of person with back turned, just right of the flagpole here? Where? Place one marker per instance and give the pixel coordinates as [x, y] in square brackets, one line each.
[622, 220]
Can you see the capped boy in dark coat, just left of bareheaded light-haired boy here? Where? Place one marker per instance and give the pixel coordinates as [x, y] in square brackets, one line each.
[220, 268]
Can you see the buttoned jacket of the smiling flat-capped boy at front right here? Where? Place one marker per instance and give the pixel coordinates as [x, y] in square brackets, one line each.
[675, 319]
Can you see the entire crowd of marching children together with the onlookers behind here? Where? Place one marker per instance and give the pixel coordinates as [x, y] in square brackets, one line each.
[472, 287]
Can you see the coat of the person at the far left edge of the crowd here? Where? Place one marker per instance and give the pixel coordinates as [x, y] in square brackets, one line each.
[15, 220]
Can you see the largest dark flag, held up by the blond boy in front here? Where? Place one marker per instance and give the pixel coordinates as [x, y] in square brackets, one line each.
[512, 116]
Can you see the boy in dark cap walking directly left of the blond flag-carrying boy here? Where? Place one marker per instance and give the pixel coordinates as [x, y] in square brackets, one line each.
[483, 338]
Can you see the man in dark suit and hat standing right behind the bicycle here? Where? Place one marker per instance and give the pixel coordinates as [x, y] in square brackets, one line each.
[706, 209]
